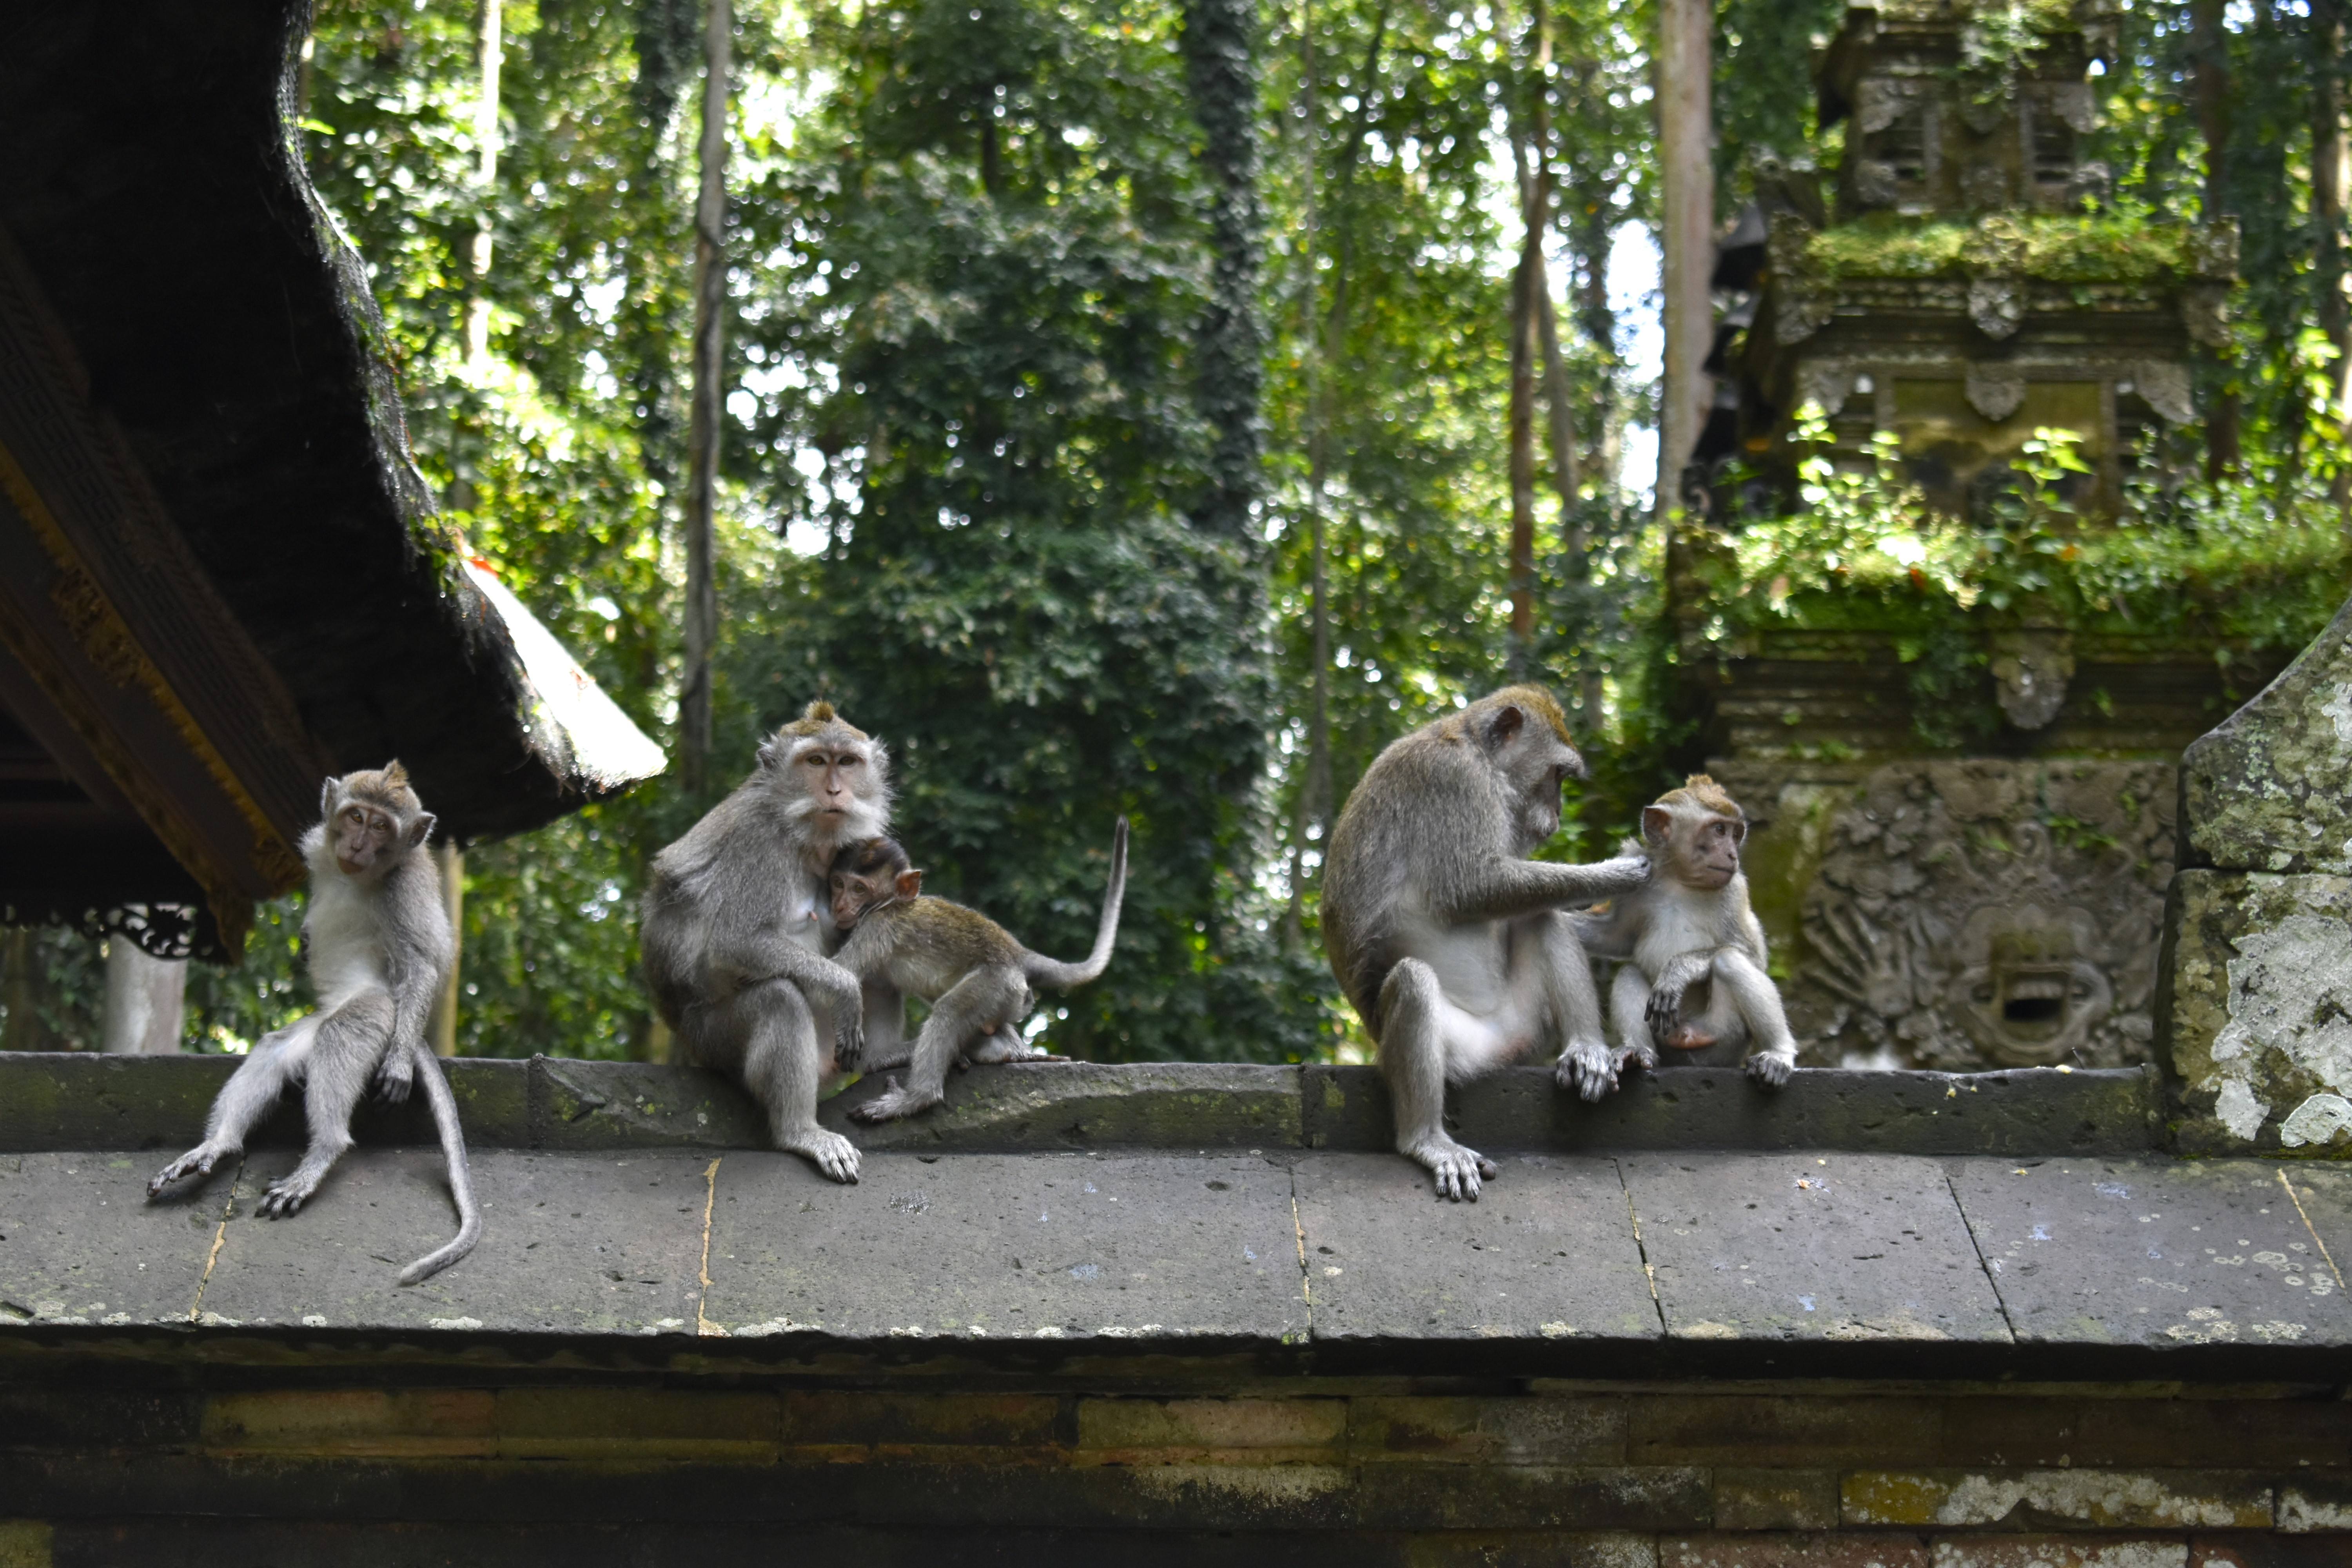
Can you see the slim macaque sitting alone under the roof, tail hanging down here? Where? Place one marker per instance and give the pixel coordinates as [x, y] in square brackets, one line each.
[380, 949]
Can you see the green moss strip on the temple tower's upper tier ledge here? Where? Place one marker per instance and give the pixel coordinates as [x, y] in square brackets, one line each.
[2007, 246]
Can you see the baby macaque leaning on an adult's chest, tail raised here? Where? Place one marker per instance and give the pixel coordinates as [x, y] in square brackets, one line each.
[965, 965]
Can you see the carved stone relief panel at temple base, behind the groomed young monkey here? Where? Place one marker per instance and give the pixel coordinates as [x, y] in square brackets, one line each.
[1989, 913]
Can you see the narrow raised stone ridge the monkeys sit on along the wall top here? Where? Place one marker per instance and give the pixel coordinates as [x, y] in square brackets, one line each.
[83, 1101]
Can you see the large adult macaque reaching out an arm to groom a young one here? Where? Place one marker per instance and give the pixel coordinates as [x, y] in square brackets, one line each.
[1448, 939]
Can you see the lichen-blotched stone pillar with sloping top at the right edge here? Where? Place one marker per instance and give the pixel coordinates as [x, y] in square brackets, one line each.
[2257, 1005]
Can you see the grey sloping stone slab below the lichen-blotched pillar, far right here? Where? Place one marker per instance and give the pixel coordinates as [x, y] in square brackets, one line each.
[2113, 1252]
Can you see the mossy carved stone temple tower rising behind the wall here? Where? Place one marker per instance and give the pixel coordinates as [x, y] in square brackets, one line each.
[1991, 904]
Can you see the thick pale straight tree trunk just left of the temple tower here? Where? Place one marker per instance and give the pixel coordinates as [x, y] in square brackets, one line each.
[1688, 232]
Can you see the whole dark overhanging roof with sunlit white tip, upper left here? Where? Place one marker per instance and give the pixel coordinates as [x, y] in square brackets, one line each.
[220, 570]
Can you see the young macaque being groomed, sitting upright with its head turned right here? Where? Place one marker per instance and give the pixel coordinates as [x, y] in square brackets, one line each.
[1697, 974]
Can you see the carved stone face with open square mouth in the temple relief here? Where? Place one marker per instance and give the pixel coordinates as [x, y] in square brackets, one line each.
[2029, 993]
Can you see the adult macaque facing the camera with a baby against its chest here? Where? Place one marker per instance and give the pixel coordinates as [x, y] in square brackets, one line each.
[737, 927]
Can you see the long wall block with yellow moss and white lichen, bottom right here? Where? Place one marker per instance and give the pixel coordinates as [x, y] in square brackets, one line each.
[2087, 1499]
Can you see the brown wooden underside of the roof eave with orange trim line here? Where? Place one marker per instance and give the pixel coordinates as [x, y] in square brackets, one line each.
[126, 666]
